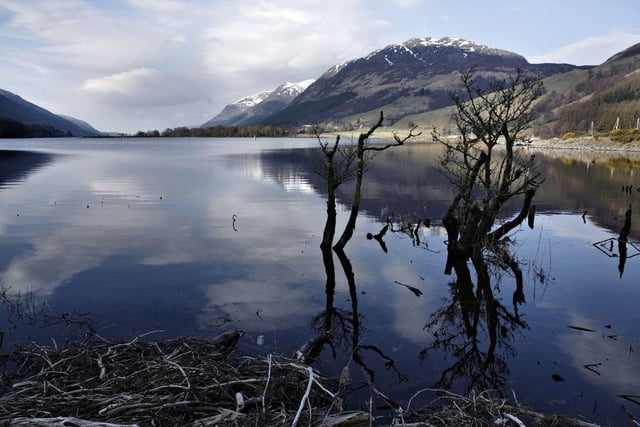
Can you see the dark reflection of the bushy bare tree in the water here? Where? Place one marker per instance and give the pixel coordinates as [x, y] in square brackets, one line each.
[476, 328]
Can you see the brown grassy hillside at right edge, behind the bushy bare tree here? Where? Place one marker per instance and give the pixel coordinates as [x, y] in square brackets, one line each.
[603, 95]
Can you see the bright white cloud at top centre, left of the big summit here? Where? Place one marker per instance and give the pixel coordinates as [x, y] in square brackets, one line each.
[303, 39]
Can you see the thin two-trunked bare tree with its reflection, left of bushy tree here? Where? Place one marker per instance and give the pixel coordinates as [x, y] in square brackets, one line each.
[338, 328]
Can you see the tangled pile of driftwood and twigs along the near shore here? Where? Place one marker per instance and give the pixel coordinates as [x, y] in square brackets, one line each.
[189, 381]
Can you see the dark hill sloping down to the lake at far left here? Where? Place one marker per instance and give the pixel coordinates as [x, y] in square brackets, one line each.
[28, 119]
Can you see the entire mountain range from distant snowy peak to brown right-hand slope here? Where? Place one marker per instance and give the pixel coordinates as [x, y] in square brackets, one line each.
[413, 81]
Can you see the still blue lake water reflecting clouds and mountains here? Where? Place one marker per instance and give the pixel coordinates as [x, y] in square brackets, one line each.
[200, 236]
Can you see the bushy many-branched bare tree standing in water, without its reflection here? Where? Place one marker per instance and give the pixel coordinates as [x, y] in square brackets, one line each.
[484, 163]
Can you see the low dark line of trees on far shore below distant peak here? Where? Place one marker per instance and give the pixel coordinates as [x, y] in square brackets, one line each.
[222, 132]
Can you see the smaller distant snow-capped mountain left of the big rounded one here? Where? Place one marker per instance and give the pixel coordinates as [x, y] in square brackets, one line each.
[256, 108]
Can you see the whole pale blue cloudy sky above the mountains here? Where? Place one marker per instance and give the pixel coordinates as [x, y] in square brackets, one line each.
[128, 65]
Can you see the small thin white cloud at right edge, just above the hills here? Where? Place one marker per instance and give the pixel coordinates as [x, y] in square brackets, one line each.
[589, 51]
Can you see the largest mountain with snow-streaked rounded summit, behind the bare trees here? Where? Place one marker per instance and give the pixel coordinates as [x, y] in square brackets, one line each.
[402, 79]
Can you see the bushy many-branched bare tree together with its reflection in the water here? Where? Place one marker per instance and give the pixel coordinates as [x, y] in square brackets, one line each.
[488, 170]
